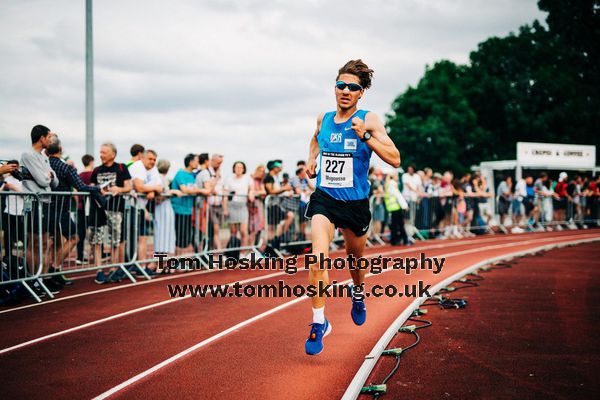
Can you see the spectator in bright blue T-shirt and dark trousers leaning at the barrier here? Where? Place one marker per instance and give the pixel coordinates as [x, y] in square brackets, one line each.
[185, 181]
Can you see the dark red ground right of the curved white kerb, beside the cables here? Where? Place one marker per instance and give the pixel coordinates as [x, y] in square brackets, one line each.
[528, 332]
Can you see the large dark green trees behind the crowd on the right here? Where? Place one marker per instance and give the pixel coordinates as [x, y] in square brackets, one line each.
[538, 85]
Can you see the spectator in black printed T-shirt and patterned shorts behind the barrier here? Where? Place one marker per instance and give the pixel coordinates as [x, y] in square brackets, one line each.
[114, 181]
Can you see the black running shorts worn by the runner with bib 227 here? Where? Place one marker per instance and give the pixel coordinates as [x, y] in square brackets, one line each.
[352, 214]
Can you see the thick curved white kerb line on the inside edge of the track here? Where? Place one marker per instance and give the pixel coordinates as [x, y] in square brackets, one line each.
[371, 359]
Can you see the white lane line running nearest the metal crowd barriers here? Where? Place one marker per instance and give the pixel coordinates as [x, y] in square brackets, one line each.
[125, 286]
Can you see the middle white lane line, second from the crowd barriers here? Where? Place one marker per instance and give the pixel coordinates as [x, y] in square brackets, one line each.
[268, 276]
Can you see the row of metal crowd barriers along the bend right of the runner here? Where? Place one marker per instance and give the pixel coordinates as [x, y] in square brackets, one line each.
[468, 215]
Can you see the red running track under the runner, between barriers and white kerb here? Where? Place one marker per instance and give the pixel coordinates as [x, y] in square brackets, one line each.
[262, 358]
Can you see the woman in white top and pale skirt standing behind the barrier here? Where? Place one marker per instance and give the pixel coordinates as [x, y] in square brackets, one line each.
[239, 188]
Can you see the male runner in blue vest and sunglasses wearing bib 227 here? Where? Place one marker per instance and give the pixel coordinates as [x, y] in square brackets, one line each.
[344, 140]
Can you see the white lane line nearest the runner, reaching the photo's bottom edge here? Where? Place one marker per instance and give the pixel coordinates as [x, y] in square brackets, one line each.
[211, 339]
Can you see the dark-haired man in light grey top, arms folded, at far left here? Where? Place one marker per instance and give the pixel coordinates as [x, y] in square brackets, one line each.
[43, 179]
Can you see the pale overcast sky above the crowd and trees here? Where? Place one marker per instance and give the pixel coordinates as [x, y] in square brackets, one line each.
[242, 78]
